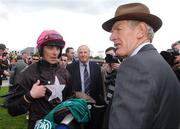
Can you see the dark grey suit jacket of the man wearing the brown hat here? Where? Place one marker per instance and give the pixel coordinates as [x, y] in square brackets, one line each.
[147, 93]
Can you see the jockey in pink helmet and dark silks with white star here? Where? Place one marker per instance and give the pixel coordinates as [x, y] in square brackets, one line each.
[40, 87]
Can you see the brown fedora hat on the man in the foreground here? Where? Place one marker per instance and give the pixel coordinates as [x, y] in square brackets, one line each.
[134, 11]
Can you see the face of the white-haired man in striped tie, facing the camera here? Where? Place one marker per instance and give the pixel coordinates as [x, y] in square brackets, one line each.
[83, 53]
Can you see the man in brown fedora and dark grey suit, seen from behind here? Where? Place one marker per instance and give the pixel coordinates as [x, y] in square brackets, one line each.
[147, 92]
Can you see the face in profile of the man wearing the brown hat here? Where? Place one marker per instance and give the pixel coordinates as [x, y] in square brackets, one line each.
[124, 38]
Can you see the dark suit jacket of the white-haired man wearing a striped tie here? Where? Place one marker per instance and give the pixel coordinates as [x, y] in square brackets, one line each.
[96, 91]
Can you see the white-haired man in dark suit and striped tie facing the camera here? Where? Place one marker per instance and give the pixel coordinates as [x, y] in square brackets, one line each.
[86, 80]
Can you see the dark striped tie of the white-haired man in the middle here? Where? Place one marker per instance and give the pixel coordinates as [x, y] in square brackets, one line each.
[86, 80]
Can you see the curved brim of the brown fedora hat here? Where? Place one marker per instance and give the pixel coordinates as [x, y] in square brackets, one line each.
[152, 20]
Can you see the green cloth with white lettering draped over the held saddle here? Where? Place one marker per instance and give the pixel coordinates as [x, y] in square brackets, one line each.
[77, 107]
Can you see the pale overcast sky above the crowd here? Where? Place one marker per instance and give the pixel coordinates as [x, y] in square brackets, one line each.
[78, 21]
